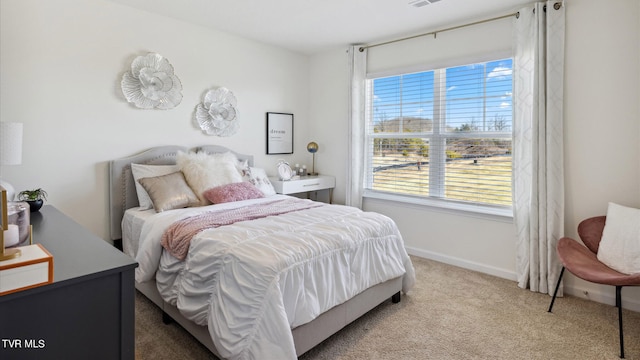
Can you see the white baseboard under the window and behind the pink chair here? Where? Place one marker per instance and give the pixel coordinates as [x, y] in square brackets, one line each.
[594, 292]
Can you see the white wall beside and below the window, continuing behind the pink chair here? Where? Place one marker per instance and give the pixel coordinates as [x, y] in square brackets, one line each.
[602, 151]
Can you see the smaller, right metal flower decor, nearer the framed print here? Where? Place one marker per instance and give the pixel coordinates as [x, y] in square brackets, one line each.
[217, 114]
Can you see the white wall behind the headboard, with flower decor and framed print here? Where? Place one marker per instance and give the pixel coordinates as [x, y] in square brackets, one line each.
[61, 63]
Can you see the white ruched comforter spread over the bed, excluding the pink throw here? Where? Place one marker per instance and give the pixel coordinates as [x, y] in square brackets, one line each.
[253, 281]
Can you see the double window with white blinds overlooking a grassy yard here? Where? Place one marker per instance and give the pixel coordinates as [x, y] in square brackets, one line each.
[443, 134]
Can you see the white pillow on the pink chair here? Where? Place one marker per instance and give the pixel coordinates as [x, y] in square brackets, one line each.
[620, 245]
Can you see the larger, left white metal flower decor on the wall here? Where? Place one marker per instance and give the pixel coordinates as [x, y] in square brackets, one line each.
[151, 83]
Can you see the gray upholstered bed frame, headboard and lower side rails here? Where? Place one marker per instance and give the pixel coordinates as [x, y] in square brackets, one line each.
[123, 196]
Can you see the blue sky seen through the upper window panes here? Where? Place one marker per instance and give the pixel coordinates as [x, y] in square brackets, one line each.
[411, 95]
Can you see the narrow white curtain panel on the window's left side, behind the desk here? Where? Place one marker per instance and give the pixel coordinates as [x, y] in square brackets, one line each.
[355, 164]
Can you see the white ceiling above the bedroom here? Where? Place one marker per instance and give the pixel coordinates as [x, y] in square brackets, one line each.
[312, 26]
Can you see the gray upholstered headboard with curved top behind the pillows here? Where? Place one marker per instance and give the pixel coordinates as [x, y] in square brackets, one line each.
[122, 189]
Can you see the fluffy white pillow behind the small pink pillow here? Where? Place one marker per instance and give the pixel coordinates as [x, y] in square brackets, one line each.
[203, 171]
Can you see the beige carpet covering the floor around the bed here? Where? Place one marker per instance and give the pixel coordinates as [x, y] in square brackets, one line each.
[451, 313]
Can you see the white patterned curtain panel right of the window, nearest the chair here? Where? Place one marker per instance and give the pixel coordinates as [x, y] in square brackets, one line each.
[538, 188]
